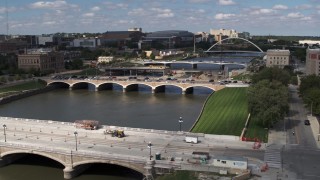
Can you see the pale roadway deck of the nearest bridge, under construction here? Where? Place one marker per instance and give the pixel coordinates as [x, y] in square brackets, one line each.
[60, 136]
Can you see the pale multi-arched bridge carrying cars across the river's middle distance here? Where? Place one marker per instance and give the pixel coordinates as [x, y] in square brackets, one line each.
[133, 85]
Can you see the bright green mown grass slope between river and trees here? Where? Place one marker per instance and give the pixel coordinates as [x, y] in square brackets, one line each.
[225, 113]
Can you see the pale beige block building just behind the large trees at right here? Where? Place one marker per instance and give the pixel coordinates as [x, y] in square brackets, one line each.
[278, 58]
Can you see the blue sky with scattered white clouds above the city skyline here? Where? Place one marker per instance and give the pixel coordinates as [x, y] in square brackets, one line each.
[259, 17]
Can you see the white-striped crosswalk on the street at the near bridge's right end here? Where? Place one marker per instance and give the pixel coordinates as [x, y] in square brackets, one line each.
[272, 156]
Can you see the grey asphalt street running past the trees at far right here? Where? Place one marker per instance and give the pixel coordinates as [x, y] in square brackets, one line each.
[301, 154]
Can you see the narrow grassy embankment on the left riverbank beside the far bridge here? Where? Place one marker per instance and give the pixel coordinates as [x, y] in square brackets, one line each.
[17, 88]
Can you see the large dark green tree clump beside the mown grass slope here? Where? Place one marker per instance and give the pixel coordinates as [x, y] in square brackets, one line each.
[268, 96]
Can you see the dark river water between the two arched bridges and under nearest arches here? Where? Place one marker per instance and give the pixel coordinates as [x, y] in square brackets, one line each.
[132, 109]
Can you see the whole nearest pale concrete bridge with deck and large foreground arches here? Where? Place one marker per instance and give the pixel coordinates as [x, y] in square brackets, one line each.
[77, 149]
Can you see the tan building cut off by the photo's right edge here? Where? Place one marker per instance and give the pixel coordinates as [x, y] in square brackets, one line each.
[313, 62]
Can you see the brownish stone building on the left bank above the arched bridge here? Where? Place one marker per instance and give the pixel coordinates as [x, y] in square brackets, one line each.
[44, 60]
